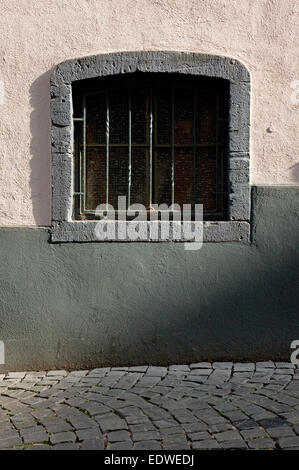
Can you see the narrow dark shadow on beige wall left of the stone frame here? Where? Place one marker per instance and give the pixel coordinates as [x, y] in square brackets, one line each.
[40, 148]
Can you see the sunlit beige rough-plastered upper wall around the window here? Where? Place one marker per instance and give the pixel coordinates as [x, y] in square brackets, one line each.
[35, 35]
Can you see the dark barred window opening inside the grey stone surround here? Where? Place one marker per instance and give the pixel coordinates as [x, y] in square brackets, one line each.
[154, 139]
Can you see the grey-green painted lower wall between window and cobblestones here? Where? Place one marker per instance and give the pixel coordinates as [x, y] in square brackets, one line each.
[83, 305]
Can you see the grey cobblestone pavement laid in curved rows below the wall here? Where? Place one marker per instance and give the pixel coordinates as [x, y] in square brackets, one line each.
[198, 406]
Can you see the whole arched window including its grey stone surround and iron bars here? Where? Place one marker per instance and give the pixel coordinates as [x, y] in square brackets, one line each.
[156, 127]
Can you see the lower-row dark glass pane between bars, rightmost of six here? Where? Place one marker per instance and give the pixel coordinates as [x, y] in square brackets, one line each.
[206, 161]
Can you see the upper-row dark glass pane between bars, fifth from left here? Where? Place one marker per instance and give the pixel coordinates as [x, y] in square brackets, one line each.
[183, 117]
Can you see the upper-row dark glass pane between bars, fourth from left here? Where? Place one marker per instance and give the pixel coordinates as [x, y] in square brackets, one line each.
[162, 110]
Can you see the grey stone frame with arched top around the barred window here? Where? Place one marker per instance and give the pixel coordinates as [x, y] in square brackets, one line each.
[64, 228]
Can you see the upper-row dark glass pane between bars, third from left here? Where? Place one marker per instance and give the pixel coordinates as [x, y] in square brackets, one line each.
[139, 113]
